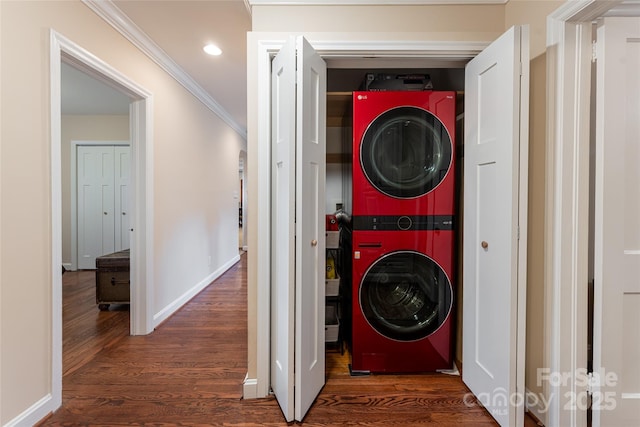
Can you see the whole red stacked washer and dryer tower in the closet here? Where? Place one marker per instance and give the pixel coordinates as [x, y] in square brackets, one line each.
[403, 239]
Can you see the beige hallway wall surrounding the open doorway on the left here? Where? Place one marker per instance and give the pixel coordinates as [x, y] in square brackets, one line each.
[195, 178]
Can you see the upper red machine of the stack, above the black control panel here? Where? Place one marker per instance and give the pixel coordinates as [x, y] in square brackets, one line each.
[403, 153]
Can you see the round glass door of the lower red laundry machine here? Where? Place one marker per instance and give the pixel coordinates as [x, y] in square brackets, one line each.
[405, 296]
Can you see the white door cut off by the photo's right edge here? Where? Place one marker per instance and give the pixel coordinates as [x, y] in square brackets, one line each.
[616, 346]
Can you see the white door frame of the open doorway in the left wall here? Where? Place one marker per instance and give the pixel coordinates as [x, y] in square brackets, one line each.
[140, 116]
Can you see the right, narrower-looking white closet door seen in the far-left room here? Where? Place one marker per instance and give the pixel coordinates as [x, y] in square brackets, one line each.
[122, 165]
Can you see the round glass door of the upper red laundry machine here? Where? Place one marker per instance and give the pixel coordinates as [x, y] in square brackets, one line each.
[405, 152]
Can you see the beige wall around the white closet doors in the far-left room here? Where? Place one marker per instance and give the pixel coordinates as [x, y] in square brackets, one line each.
[83, 128]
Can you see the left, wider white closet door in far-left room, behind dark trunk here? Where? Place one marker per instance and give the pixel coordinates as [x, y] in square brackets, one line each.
[95, 190]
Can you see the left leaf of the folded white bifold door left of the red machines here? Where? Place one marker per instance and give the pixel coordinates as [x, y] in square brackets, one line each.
[283, 205]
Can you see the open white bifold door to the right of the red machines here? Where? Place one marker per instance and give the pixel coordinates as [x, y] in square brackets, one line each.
[495, 226]
